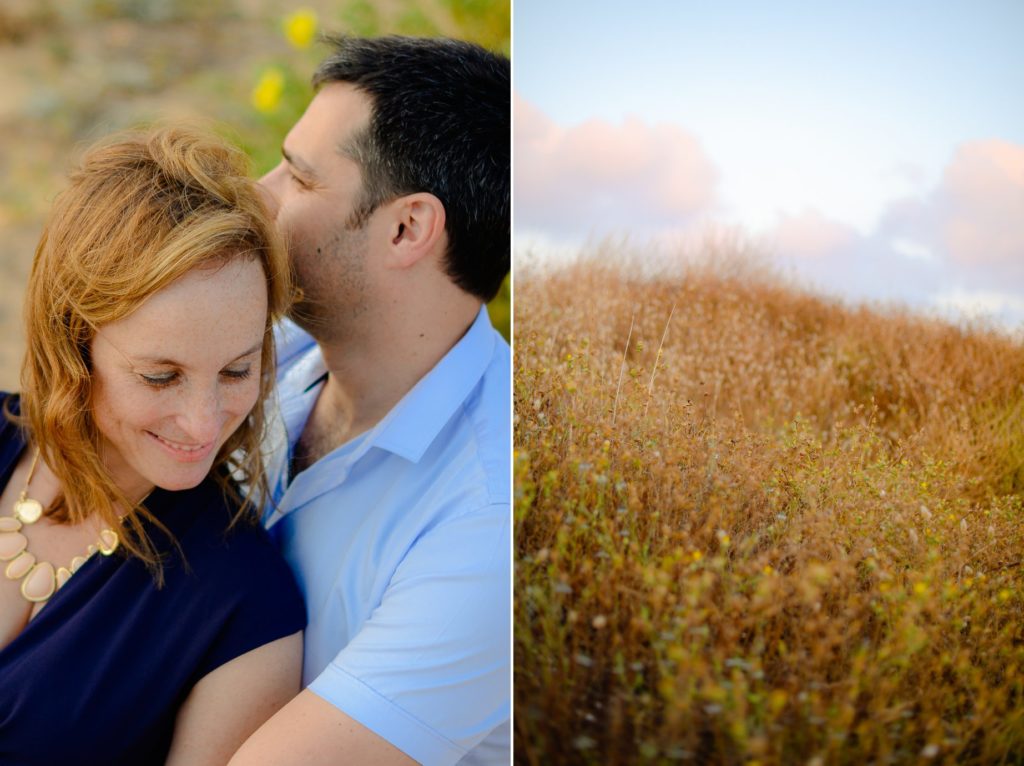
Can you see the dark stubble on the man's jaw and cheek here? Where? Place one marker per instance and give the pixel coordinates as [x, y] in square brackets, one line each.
[334, 286]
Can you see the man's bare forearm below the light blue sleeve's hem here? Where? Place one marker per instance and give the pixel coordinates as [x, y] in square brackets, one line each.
[311, 732]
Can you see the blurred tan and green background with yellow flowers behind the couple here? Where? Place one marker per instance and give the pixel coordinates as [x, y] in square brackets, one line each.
[72, 71]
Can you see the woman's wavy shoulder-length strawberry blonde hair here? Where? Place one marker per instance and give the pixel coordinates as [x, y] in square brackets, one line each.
[143, 210]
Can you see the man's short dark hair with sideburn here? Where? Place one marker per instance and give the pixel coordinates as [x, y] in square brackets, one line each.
[442, 123]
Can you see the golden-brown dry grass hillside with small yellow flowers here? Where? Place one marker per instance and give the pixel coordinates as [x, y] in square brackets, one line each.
[756, 527]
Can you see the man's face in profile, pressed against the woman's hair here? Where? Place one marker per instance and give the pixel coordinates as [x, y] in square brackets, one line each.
[314, 193]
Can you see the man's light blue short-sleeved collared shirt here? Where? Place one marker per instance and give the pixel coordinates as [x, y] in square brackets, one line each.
[401, 541]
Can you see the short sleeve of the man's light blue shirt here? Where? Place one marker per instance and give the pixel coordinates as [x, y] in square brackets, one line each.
[431, 670]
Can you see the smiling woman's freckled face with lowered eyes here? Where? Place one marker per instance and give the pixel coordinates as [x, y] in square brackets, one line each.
[175, 379]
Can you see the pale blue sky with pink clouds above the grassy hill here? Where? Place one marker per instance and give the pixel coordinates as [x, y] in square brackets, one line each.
[872, 147]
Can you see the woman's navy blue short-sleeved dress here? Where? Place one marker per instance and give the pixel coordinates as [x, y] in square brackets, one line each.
[99, 675]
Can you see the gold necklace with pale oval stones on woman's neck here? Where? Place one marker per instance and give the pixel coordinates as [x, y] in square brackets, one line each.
[40, 580]
